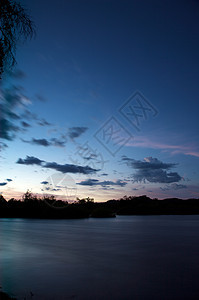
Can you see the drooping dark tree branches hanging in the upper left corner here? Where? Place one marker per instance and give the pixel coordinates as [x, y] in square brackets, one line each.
[15, 26]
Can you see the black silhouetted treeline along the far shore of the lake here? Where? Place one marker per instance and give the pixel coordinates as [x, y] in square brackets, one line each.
[49, 208]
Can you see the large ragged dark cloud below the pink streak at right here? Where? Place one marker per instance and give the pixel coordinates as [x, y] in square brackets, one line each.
[152, 170]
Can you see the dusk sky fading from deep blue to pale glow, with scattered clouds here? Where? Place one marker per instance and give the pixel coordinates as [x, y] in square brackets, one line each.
[103, 102]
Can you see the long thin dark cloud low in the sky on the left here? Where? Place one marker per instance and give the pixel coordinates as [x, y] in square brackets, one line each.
[66, 168]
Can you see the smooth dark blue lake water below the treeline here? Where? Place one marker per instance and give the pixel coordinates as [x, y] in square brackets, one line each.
[127, 257]
